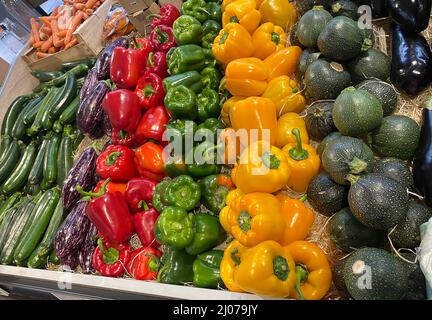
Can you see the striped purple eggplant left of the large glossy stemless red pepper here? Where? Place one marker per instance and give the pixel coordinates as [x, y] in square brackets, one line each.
[90, 112]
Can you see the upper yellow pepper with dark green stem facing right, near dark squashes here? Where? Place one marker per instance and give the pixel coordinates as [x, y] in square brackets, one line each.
[267, 39]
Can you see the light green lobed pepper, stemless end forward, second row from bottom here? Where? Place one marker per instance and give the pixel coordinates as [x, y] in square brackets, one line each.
[175, 227]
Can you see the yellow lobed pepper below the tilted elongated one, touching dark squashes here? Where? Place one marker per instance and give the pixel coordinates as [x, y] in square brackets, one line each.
[285, 94]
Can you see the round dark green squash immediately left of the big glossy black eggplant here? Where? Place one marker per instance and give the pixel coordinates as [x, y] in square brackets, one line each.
[370, 64]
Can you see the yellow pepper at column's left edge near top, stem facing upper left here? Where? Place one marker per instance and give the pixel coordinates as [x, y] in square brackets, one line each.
[232, 42]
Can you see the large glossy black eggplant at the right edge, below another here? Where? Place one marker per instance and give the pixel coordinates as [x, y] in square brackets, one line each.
[411, 68]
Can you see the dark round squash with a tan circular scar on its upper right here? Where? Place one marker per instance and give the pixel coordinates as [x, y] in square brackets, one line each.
[325, 80]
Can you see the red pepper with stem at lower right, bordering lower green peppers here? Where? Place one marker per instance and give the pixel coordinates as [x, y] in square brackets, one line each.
[139, 191]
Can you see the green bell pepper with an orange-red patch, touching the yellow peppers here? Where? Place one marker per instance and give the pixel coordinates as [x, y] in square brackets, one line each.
[214, 191]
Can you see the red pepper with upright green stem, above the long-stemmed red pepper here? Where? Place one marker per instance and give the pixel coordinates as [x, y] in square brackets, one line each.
[116, 163]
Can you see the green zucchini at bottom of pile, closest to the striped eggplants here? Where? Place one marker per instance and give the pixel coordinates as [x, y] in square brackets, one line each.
[39, 256]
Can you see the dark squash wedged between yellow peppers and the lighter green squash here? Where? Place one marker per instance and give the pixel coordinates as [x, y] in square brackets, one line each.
[319, 119]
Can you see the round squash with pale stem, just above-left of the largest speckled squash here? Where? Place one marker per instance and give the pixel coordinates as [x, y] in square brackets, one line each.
[347, 156]
